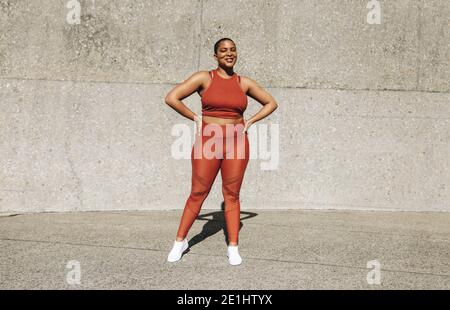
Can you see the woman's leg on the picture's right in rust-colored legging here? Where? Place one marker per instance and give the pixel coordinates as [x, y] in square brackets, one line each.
[233, 168]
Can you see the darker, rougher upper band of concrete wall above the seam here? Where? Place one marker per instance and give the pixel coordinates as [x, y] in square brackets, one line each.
[322, 43]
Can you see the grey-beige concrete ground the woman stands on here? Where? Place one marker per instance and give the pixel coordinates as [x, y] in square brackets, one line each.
[298, 249]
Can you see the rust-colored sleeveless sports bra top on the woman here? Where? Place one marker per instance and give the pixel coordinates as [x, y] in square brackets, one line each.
[224, 97]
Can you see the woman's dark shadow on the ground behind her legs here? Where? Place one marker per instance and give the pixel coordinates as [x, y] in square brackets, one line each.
[216, 223]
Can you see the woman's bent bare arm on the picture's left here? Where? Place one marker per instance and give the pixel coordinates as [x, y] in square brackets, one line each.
[183, 90]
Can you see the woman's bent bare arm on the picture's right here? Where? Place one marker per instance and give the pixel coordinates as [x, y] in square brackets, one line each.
[263, 97]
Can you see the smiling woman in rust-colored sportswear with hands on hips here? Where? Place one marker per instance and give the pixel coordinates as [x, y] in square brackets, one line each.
[222, 125]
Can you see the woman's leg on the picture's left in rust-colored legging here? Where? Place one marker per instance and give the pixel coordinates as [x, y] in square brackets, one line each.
[204, 172]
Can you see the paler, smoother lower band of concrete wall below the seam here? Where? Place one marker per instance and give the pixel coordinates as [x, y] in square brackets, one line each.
[105, 146]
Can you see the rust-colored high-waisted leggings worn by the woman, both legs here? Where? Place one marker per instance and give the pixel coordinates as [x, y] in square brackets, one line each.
[218, 147]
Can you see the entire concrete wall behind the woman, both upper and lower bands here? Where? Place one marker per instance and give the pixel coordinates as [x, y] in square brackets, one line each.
[363, 108]
